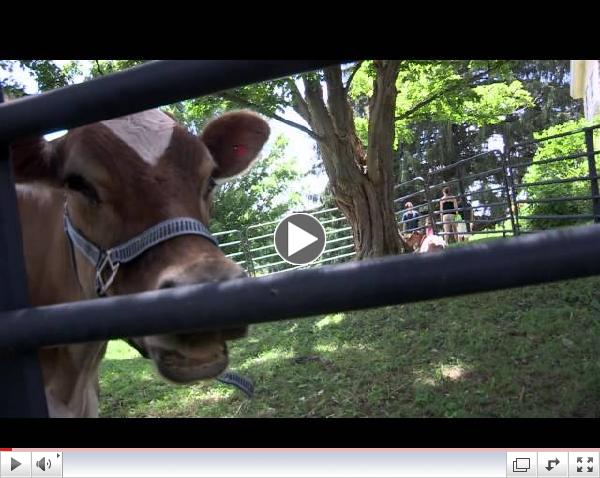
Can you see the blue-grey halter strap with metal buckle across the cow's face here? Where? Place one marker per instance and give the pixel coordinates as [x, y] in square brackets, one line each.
[108, 261]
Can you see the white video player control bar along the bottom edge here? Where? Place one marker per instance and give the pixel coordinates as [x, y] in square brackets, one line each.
[294, 463]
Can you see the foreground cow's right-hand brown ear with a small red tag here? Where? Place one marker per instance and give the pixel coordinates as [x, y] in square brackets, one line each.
[234, 140]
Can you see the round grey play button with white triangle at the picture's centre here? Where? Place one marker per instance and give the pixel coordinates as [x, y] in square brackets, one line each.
[300, 239]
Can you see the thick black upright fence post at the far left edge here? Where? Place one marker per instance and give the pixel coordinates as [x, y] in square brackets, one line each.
[22, 388]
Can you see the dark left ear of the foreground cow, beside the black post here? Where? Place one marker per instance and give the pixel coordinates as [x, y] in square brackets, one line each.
[36, 160]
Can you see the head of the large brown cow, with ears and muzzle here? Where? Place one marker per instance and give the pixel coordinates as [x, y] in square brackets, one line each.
[121, 177]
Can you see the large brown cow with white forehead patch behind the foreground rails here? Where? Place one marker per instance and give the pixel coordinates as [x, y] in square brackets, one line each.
[113, 181]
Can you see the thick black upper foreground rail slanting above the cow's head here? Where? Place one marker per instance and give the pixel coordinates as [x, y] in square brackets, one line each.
[153, 84]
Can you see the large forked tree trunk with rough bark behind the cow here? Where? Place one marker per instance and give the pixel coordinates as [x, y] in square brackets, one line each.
[361, 181]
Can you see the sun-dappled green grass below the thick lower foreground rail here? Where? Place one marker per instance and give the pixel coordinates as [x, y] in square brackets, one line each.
[529, 352]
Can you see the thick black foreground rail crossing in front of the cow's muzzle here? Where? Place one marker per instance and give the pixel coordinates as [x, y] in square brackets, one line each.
[532, 259]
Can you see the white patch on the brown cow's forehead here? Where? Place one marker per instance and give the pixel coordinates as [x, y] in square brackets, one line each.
[148, 133]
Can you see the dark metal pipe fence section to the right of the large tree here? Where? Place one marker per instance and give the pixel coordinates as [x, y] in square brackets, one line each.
[503, 179]
